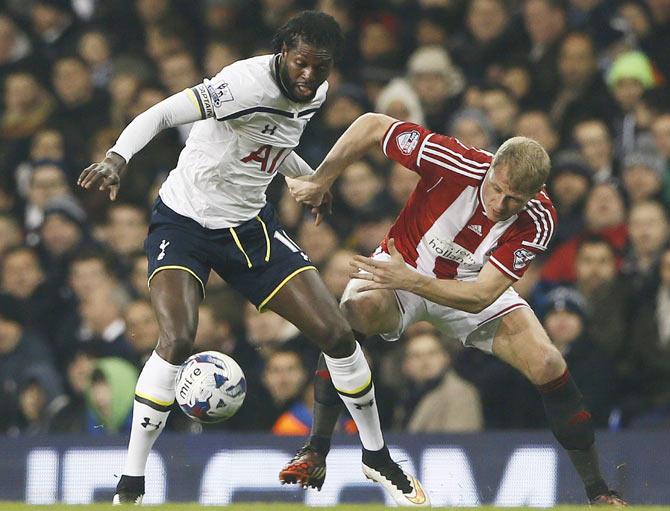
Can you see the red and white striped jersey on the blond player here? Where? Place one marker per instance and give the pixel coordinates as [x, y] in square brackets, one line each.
[442, 231]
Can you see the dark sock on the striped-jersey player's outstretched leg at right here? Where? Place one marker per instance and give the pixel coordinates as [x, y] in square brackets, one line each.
[572, 426]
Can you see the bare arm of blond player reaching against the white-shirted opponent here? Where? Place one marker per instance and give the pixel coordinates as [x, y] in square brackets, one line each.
[363, 134]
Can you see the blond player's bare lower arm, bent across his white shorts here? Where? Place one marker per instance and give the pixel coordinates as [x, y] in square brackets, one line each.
[469, 296]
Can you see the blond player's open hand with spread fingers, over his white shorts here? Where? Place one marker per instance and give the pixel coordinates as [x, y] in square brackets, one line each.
[391, 274]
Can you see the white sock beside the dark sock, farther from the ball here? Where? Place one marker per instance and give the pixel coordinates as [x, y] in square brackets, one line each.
[353, 381]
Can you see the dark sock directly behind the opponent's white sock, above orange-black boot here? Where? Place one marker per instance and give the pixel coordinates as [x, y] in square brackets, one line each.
[327, 408]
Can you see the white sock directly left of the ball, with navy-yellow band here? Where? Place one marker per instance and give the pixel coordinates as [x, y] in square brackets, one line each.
[154, 394]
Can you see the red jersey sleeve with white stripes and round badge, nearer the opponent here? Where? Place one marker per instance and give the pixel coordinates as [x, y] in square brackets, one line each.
[433, 155]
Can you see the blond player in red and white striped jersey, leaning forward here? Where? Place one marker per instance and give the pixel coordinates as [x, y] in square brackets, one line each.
[468, 231]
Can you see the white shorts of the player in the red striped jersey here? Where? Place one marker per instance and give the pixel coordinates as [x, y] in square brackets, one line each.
[475, 330]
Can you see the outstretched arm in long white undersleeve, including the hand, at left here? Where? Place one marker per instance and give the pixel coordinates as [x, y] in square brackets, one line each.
[173, 111]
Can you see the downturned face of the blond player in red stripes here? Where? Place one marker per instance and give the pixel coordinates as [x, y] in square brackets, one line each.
[500, 200]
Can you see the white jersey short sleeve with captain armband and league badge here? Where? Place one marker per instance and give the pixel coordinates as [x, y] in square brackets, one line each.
[225, 95]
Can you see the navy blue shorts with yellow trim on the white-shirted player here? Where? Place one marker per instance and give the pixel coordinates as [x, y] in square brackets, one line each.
[256, 258]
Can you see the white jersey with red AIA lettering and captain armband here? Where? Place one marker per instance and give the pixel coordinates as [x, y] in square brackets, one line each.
[247, 131]
